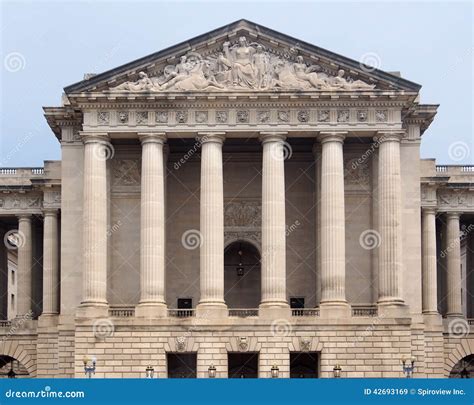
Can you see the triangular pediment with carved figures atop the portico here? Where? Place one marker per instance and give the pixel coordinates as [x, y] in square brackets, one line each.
[242, 57]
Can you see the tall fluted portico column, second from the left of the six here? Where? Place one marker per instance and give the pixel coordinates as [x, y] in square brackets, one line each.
[152, 228]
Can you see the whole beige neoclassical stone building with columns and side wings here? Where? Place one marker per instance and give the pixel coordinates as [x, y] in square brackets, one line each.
[244, 201]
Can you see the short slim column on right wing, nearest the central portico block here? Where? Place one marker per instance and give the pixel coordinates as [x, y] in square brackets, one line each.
[430, 289]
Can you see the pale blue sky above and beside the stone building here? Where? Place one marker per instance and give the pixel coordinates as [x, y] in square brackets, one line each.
[56, 42]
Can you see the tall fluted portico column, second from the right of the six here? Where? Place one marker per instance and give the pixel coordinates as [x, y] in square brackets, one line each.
[333, 253]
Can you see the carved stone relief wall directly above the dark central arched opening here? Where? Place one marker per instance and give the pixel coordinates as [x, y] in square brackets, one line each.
[242, 221]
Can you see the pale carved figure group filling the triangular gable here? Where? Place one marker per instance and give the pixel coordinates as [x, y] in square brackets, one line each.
[241, 67]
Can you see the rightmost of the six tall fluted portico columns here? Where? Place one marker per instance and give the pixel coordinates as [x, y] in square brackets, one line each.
[390, 224]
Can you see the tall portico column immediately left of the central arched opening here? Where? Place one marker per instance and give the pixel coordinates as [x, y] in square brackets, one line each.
[211, 303]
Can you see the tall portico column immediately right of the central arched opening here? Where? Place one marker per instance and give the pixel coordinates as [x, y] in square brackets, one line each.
[273, 221]
